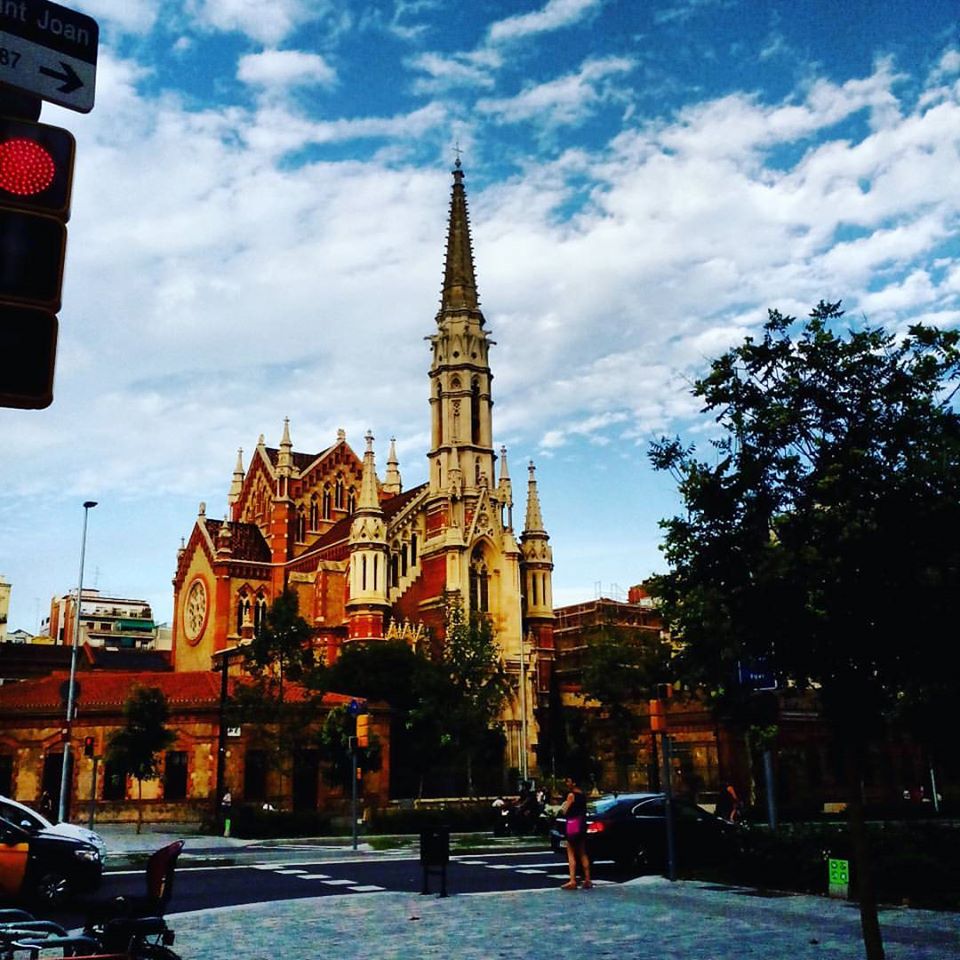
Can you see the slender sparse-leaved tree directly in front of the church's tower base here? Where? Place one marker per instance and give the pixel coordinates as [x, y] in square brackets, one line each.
[480, 685]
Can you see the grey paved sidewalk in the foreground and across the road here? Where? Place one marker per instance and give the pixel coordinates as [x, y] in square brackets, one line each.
[645, 918]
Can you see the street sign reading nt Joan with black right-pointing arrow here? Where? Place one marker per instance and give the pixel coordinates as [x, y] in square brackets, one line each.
[49, 51]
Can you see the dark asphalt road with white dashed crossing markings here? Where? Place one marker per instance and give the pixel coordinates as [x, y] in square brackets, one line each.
[289, 874]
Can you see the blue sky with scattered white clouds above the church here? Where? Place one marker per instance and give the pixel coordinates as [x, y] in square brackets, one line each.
[258, 228]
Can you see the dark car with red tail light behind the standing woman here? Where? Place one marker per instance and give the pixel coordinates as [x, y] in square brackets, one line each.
[630, 829]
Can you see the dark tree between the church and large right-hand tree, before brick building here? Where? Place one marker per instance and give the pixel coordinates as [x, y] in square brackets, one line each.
[620, 673]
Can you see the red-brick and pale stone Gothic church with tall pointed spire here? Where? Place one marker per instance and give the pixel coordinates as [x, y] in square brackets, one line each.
[370, 560]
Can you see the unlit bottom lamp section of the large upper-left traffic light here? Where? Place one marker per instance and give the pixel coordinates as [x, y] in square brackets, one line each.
[28, 345]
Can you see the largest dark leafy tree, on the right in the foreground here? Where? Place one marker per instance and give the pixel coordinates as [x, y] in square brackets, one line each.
[835, 486]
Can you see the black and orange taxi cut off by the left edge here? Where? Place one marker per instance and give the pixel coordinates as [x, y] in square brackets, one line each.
[44, 866]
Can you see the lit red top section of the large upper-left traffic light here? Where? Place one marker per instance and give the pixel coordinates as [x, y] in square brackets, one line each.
[36, 167]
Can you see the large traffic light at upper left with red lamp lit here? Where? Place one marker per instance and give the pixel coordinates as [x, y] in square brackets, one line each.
[36, 175]
